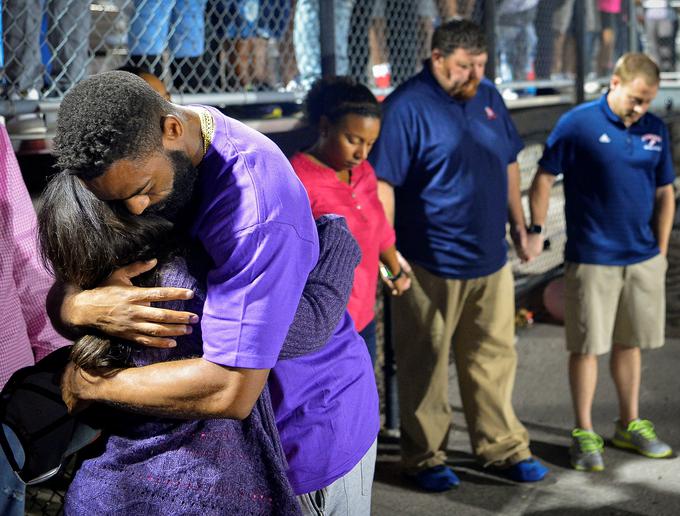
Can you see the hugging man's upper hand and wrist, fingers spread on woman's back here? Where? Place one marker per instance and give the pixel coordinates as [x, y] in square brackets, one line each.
[119, 309]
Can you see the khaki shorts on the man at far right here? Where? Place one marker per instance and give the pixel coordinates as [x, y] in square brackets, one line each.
[621, 304]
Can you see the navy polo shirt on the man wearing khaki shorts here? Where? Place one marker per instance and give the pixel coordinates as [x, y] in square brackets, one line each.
[611, 174]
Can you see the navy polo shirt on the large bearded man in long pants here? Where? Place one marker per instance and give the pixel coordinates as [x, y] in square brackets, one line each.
[447, 161]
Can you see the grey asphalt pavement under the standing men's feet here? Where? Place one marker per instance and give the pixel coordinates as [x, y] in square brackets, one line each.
[630, 485]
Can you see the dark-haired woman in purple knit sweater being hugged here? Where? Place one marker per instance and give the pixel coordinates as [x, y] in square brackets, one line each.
[152, 462]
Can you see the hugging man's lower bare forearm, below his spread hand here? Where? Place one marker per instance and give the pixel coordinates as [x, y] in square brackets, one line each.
[187, 389]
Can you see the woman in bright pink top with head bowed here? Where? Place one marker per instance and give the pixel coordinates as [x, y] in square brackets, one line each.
[339, 179]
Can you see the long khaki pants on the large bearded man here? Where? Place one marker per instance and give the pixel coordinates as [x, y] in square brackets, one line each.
[477, 317]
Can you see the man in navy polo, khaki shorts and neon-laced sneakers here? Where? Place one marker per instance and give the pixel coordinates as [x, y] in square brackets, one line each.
[618, 171]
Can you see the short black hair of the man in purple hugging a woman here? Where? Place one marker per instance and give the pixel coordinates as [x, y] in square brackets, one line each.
[107, 117]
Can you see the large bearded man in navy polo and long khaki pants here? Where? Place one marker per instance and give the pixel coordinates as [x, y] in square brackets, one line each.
[446, 154]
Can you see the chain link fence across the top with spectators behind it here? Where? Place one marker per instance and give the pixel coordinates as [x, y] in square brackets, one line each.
[275, 48]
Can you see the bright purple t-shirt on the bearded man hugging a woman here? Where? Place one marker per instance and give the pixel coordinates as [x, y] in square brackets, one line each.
[255, 223]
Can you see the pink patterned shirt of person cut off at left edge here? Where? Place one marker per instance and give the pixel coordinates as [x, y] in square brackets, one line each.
[26, 334]
